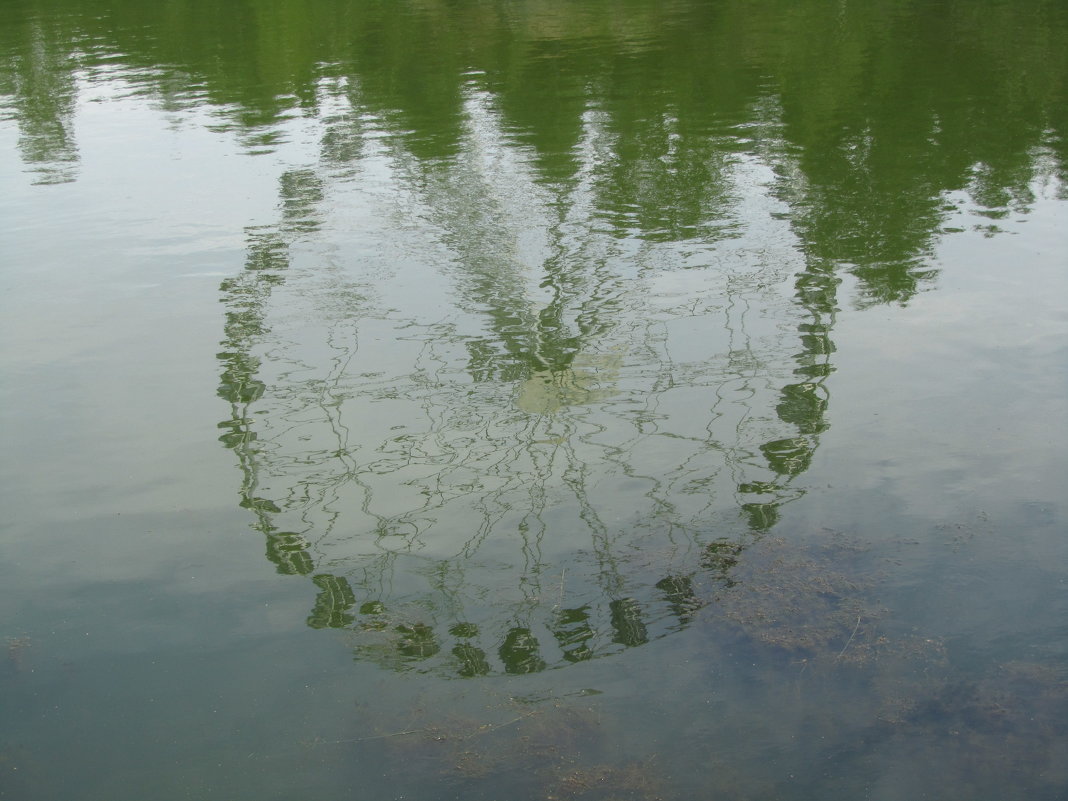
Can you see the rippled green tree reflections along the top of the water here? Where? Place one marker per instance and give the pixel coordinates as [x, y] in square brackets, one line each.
[886, 109]
